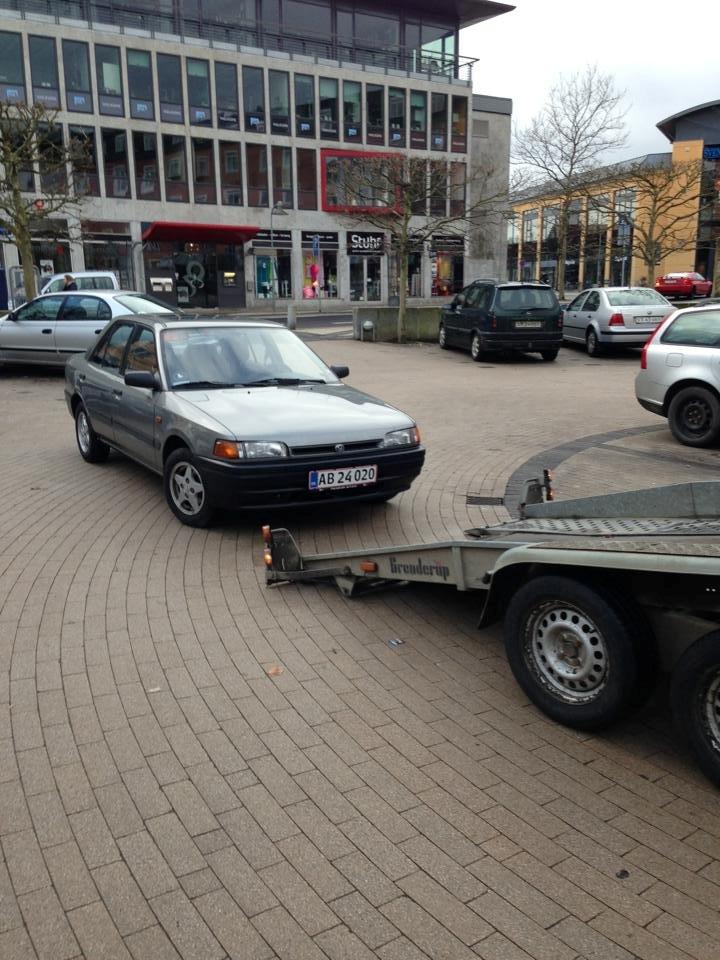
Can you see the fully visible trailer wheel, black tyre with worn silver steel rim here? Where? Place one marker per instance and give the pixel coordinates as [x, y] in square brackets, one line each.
[574, 650]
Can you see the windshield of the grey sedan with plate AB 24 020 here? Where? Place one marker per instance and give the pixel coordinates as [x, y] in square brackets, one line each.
[240, 356]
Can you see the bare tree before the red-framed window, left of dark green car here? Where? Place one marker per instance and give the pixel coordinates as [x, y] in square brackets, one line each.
[412, 200]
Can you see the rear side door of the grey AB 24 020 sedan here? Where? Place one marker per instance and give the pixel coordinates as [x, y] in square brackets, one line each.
[100, 382]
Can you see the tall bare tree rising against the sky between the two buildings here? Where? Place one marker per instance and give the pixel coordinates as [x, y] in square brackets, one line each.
[582, 121]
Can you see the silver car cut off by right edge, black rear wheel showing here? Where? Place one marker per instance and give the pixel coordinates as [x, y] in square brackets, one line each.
[679, 375]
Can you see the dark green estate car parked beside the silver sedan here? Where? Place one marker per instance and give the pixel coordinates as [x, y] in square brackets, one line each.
[490, 316]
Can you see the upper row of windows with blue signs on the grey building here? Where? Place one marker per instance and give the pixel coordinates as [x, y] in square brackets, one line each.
[274, 101]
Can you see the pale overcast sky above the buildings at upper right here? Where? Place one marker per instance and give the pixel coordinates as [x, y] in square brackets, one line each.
[663, 53]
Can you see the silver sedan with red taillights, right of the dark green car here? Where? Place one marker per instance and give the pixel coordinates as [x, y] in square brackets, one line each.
[606, 317]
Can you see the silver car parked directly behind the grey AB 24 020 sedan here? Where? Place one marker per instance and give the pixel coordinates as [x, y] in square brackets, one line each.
[52, 327]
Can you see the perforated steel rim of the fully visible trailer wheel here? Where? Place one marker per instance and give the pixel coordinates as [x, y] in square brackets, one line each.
[566, 652]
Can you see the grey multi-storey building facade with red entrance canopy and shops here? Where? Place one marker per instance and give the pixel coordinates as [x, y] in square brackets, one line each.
[211, 125]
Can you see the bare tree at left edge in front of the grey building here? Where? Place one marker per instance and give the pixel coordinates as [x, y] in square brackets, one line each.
[32, 150]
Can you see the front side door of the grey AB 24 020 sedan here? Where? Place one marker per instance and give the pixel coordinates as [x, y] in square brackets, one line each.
[134, 411]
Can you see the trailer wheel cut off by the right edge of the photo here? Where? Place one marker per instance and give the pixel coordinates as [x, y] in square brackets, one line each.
[695, 698]
